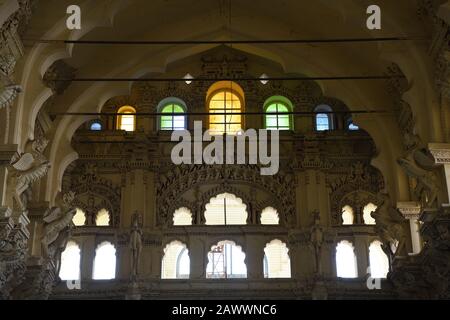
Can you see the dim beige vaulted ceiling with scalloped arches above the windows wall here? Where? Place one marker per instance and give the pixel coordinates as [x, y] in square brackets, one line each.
[249, 20]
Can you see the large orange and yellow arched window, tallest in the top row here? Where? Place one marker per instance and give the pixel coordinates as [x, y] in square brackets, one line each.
[225, 98]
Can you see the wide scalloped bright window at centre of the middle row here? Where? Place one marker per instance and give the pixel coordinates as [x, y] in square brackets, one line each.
[226, 209]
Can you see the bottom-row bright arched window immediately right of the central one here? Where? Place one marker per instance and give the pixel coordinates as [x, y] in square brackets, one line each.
[277, 259]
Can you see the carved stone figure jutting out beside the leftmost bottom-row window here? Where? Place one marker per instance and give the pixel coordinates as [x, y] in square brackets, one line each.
[57, 220]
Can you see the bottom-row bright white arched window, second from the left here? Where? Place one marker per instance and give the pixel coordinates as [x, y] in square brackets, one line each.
[105, 262]
